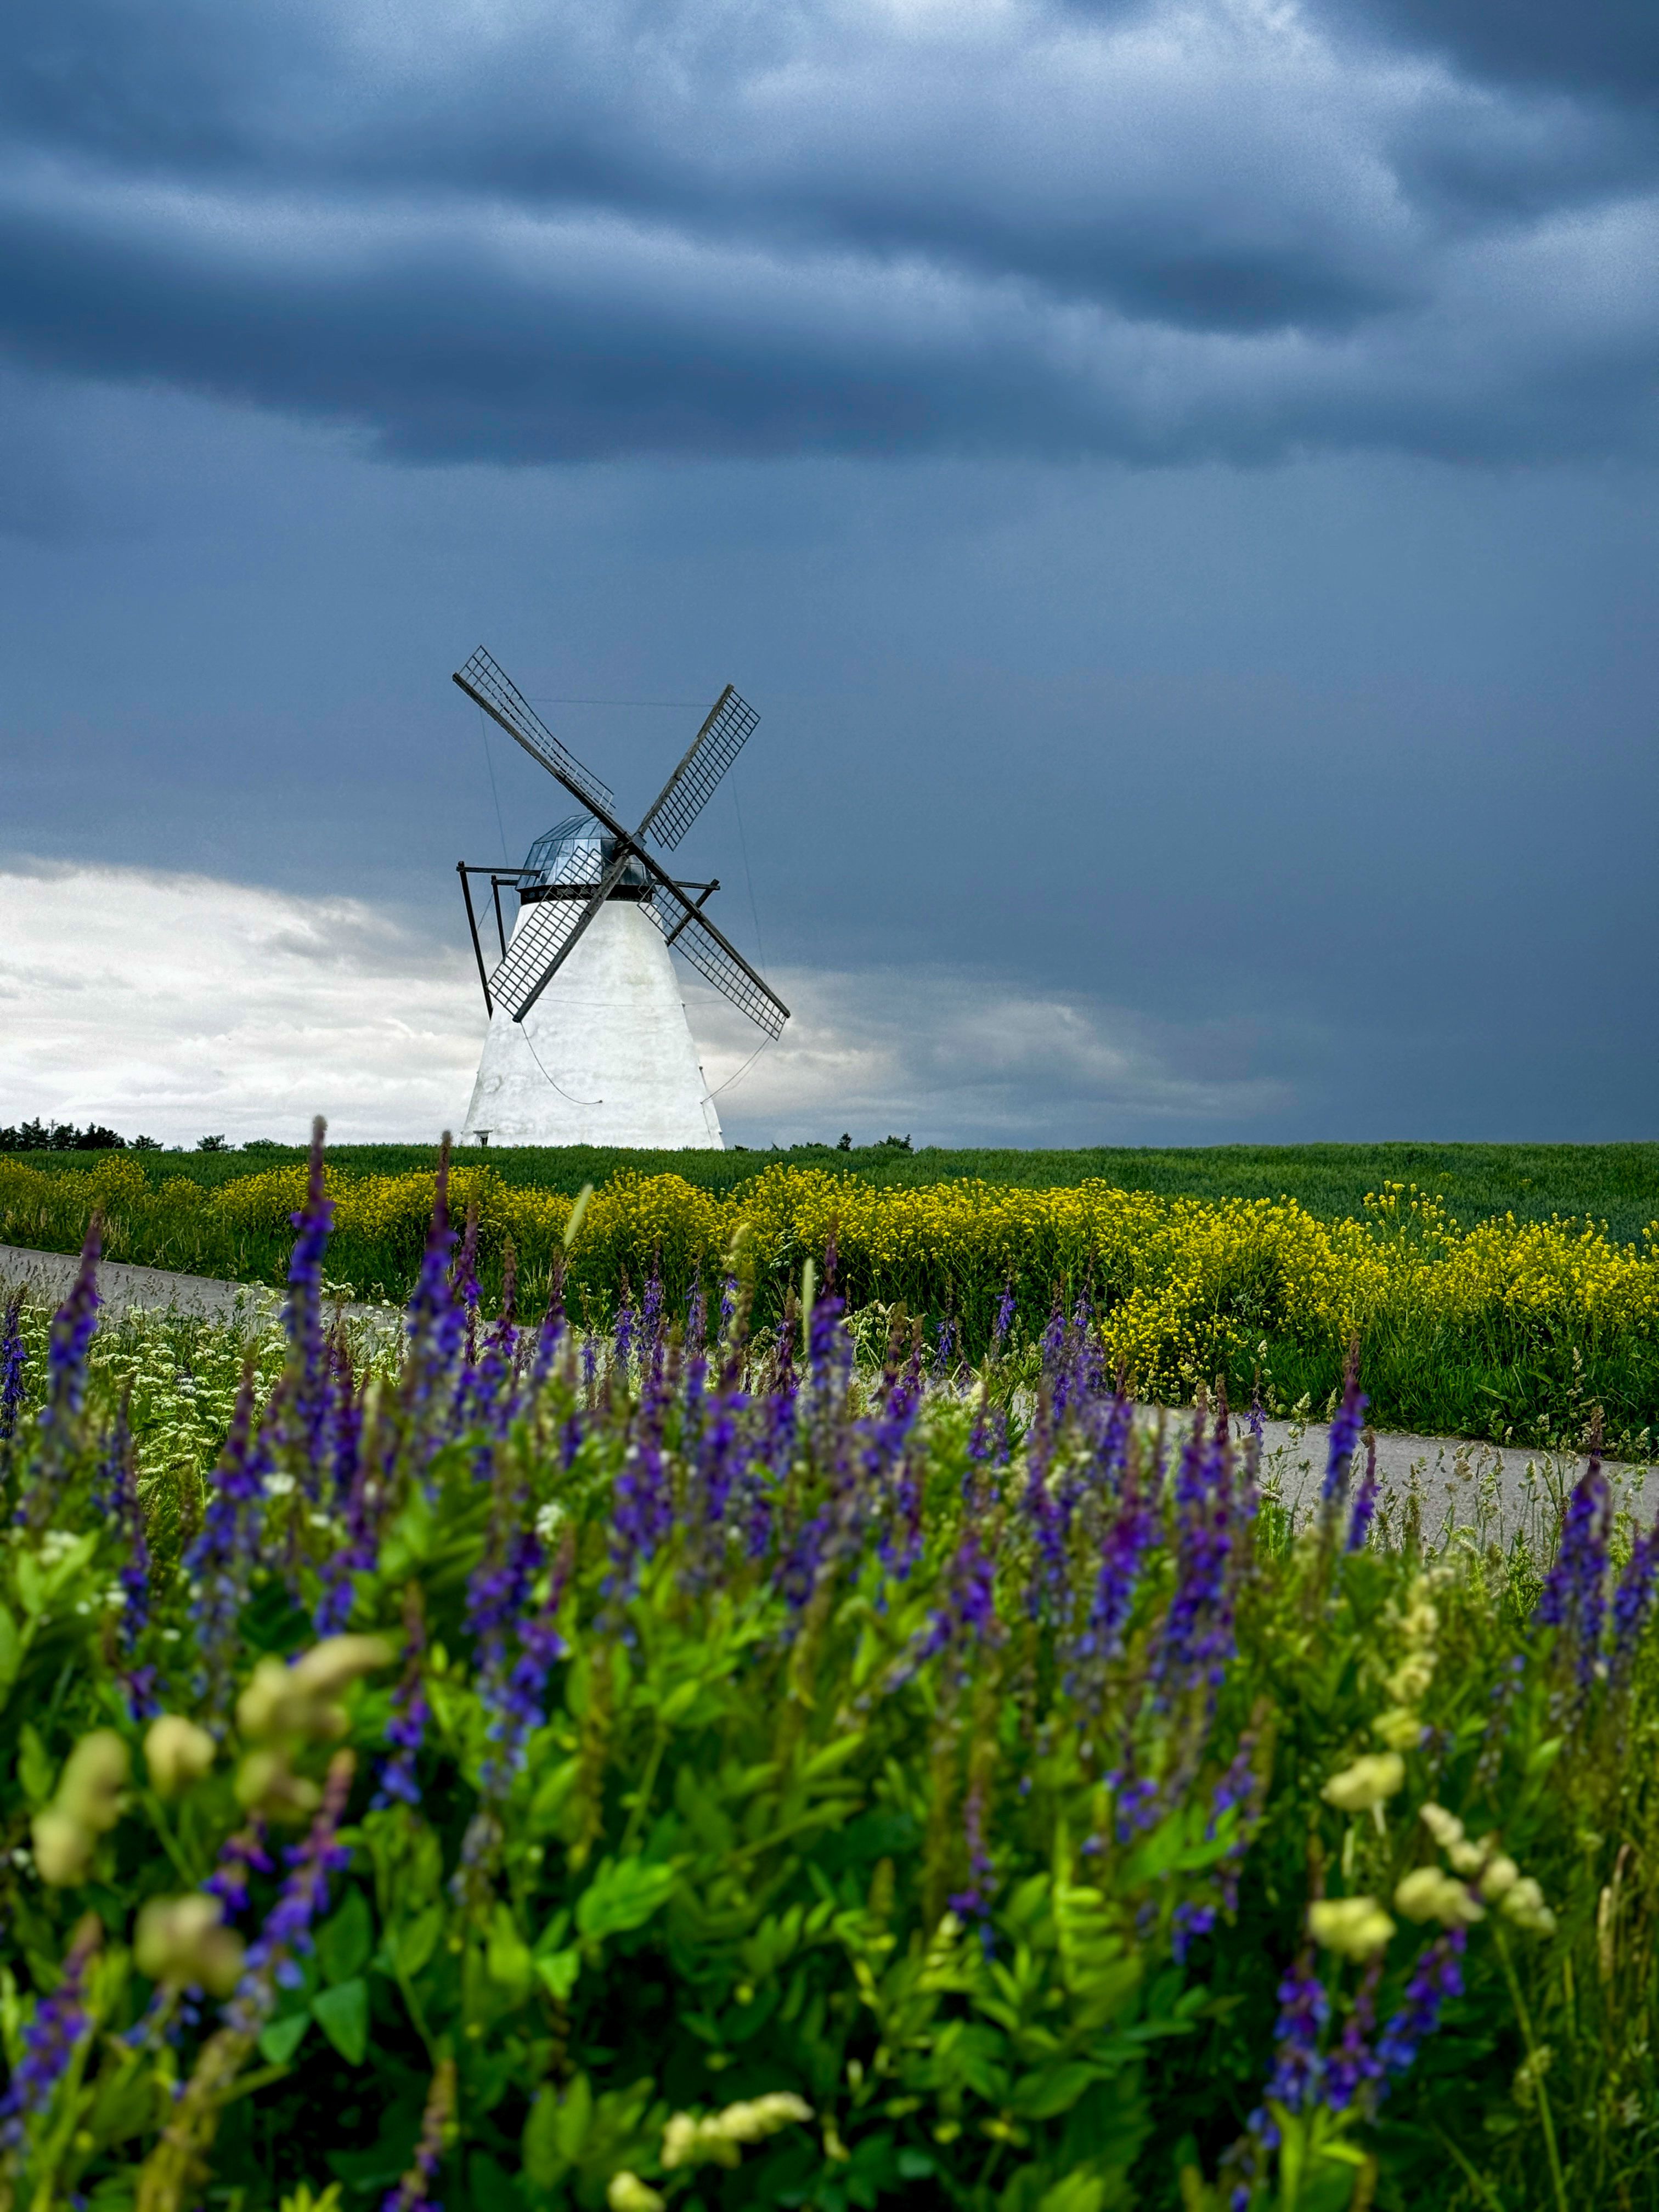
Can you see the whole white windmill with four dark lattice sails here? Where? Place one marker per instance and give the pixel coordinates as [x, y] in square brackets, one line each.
[587, 1030]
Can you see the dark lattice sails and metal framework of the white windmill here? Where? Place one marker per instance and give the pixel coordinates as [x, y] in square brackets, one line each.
[570, 897]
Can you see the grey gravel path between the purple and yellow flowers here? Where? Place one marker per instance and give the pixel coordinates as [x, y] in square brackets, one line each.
[1490, 1492]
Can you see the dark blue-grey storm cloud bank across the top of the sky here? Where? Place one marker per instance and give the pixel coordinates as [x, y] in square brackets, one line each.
[678, 229]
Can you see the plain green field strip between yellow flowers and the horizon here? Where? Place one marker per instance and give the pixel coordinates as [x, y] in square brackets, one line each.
[1605, 1182]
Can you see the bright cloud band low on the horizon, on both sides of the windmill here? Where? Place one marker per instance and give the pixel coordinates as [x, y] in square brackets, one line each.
[182, 1005]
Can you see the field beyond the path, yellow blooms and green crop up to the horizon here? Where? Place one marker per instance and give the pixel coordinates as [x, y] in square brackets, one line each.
[1510, 1326]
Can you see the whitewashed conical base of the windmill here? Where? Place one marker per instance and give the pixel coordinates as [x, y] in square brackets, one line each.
[616, 1054]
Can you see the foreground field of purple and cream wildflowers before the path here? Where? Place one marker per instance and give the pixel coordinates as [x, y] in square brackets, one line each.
[711, 1764]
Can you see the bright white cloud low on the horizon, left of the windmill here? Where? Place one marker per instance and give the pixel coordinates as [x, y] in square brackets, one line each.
[180, 1005]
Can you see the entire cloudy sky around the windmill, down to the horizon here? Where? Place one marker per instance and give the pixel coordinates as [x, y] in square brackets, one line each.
[1178, 483]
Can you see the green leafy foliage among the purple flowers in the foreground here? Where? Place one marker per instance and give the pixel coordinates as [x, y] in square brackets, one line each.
[808, 1824]
